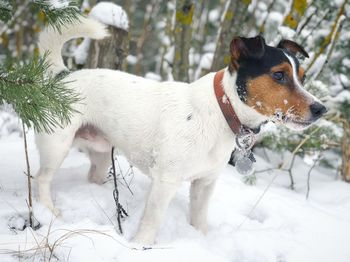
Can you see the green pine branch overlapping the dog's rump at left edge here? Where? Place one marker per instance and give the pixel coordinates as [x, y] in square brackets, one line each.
[41, 101]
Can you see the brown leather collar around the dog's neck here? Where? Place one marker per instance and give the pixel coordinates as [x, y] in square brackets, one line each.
[226, 106]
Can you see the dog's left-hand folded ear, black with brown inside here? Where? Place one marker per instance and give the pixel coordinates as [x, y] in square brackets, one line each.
[242, 47]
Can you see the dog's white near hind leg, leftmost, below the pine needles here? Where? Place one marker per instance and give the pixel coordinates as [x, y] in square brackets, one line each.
[52, 149]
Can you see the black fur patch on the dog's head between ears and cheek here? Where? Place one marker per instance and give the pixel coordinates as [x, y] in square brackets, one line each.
[253, 67]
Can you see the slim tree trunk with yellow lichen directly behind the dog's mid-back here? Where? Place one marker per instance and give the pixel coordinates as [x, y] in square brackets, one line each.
[183, 35]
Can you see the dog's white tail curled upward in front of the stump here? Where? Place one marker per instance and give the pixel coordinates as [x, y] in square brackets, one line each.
[51, 41]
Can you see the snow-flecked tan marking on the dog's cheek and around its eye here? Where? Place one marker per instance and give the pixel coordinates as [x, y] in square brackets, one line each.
[273, 95]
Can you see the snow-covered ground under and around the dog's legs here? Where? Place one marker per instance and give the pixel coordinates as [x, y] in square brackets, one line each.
[284, 226]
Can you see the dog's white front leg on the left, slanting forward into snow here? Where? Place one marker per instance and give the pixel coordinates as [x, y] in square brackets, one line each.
[158, 200]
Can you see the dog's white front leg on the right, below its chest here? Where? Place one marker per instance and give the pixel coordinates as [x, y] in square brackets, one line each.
[201, 191]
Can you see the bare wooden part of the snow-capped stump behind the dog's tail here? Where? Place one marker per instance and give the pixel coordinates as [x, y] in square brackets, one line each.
[109, 52]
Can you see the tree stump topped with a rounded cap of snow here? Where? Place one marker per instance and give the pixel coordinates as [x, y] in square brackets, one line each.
[111, 51]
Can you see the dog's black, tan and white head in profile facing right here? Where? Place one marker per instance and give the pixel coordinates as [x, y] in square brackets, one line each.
[270, 80]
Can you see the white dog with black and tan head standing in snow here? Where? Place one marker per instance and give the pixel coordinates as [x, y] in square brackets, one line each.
[173, 131]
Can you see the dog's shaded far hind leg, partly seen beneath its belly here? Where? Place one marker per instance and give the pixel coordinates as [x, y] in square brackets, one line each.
[99, 166]
